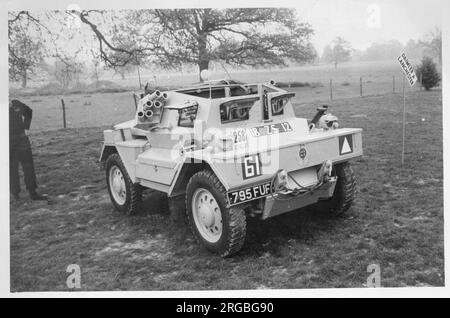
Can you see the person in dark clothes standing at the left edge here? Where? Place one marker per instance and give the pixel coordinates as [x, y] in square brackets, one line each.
[20, 150]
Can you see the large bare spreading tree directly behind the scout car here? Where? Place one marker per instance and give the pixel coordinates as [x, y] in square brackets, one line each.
[171, 38]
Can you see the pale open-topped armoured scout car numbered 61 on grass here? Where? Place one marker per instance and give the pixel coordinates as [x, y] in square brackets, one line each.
[224, 151]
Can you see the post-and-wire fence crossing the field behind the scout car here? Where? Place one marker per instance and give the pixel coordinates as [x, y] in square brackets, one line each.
[100, 109]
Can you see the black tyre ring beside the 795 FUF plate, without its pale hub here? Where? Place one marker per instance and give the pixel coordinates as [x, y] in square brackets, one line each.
[233, 219]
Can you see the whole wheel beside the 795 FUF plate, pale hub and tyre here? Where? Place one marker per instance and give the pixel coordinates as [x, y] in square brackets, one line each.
[220, 229]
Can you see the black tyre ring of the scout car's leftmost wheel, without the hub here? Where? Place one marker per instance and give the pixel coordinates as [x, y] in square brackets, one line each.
[133, 191]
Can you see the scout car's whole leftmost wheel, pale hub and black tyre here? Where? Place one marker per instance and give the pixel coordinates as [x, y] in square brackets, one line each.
[124, 194]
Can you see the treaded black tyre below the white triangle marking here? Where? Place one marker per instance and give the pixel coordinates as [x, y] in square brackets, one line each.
[344, 192]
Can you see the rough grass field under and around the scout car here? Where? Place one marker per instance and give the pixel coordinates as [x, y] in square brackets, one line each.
[396, 222]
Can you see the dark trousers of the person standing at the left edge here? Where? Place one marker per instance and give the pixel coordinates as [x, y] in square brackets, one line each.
[20, 152]
